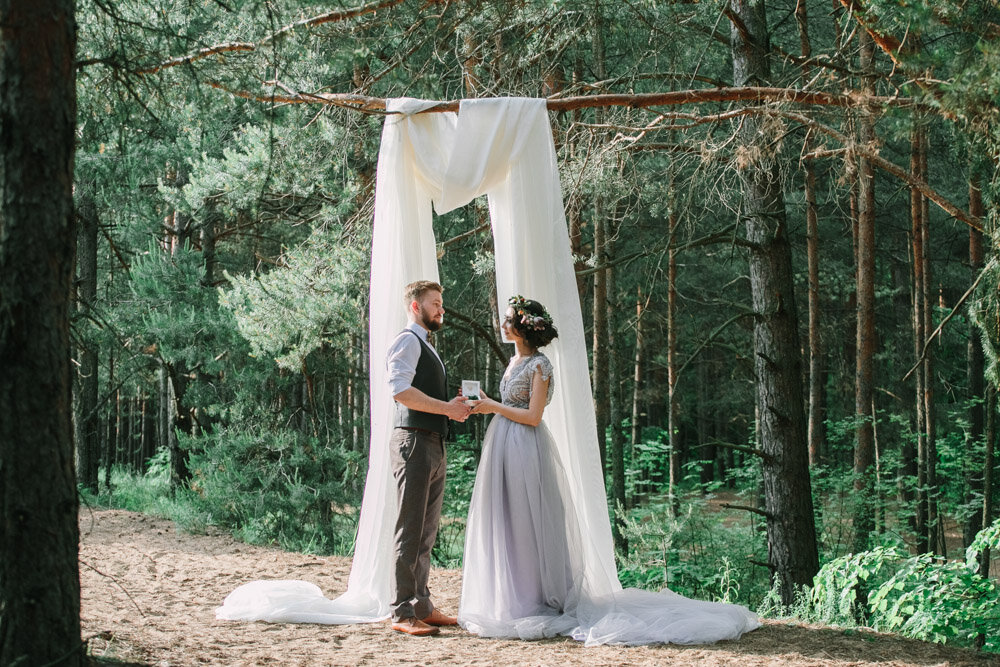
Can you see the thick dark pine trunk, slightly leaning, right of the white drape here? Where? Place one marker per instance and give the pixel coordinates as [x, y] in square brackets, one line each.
[791, 532]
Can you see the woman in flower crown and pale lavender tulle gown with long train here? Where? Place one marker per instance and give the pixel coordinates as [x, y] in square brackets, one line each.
[523, 571]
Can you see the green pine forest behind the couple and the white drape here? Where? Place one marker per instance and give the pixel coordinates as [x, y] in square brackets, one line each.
[782, 218]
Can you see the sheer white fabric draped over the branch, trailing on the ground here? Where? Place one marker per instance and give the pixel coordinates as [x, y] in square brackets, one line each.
[502, 148]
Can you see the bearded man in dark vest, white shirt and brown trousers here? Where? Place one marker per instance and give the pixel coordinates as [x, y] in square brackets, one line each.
[416, 449]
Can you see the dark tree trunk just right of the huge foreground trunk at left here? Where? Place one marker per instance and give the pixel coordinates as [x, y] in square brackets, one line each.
[88, 445]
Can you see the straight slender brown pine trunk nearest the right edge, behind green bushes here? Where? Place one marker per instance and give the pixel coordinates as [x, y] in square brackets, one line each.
[975, 364]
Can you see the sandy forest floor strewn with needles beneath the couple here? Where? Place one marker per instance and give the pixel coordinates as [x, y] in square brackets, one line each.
[149, 595]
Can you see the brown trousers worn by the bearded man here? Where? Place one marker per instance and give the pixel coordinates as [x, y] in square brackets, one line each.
[418, 464]
